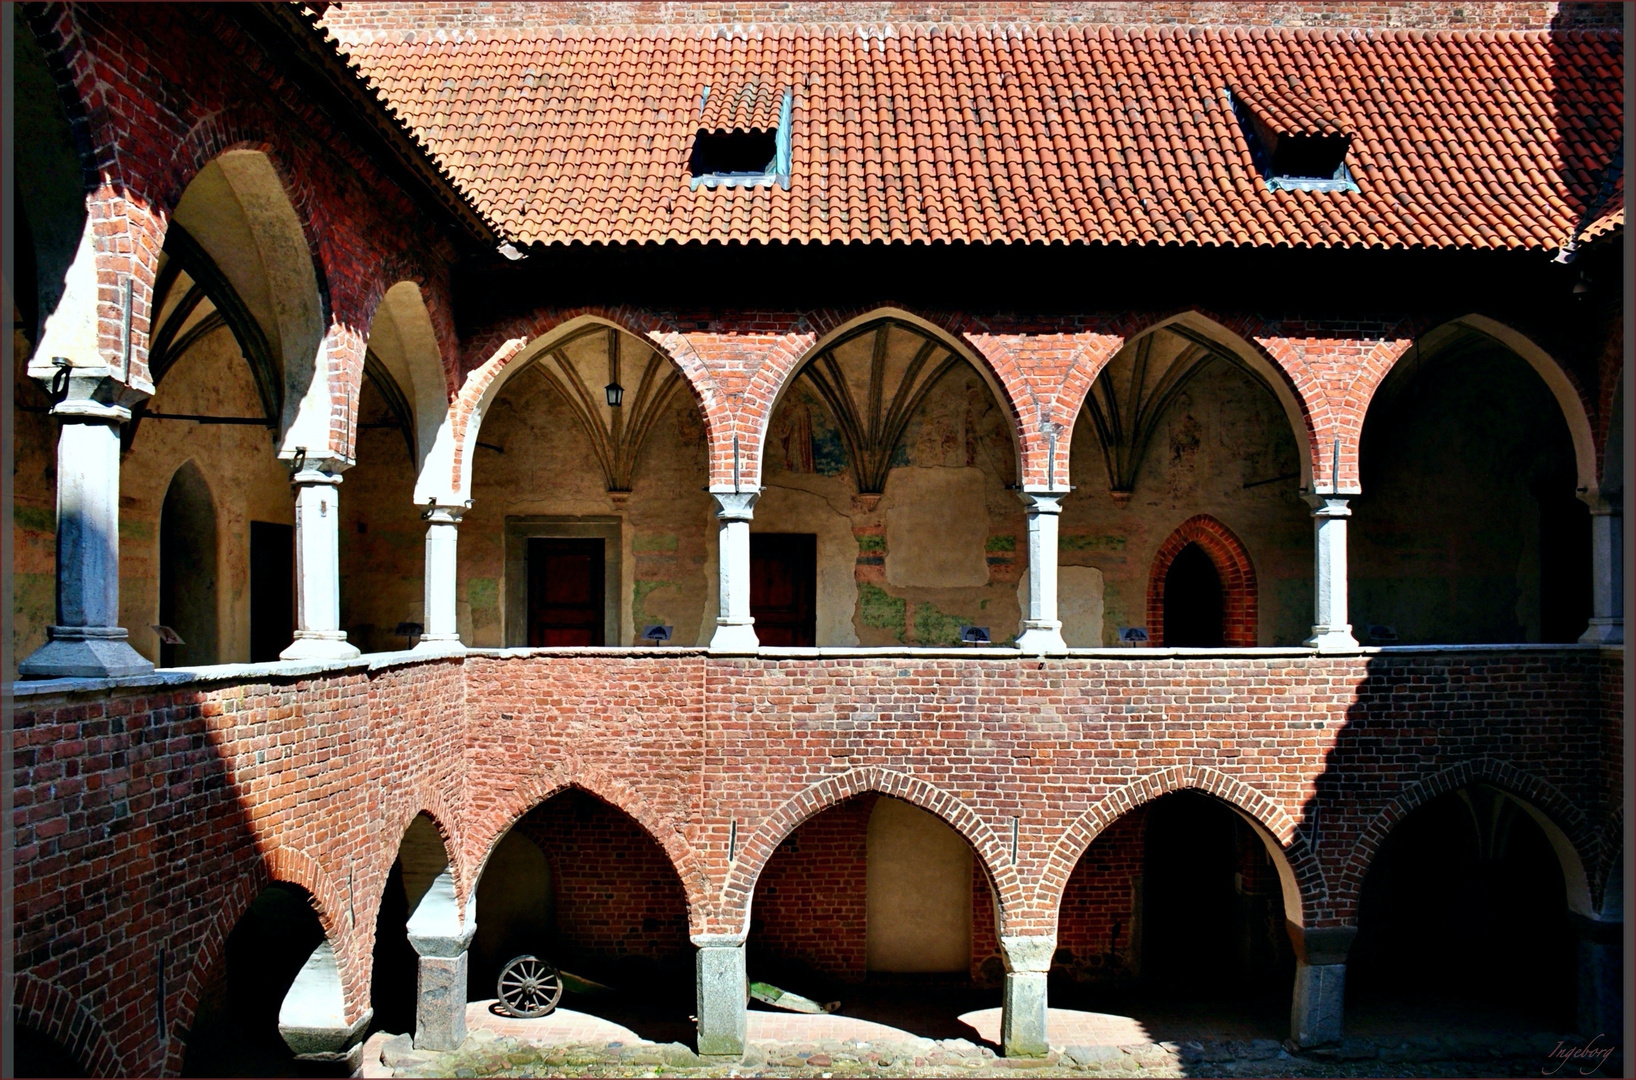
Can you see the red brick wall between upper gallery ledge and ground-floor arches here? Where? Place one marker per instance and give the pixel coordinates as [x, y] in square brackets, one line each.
[150, 819]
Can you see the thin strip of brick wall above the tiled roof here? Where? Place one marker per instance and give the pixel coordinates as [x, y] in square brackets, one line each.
[356, 22]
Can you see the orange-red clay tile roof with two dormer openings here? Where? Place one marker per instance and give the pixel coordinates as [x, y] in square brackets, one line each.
[1059, 135]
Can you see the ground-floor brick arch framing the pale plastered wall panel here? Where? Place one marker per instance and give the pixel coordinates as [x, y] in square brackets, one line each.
[740, 889]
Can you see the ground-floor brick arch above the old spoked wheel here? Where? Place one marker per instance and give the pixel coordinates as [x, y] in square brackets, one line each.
[500, 817]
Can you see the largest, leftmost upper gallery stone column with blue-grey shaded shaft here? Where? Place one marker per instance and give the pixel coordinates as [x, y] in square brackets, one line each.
[88, 642]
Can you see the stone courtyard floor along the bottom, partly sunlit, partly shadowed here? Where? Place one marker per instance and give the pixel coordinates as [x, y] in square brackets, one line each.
[892, 1033]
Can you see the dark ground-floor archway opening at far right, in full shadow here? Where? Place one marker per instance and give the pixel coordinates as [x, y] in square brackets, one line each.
[1465, 914]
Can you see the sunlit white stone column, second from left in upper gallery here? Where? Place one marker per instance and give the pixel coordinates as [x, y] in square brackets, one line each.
[318, 567]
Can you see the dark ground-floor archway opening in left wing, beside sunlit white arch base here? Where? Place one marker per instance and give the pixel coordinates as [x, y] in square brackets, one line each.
[236, 1028]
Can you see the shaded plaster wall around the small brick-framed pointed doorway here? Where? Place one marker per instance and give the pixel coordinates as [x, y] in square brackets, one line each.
[1213, 448]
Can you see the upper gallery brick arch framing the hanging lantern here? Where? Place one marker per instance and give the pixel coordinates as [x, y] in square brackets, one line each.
[498, 354]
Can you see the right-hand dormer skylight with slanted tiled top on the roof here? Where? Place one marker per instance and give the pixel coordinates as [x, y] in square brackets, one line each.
[1297, 146]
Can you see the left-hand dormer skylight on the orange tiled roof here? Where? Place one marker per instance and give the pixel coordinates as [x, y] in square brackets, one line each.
[744, 138]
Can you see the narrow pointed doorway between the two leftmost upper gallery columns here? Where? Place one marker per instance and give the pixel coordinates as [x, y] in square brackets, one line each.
[187, 570]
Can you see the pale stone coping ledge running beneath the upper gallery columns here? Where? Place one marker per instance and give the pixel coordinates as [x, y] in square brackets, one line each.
[171, 678]
